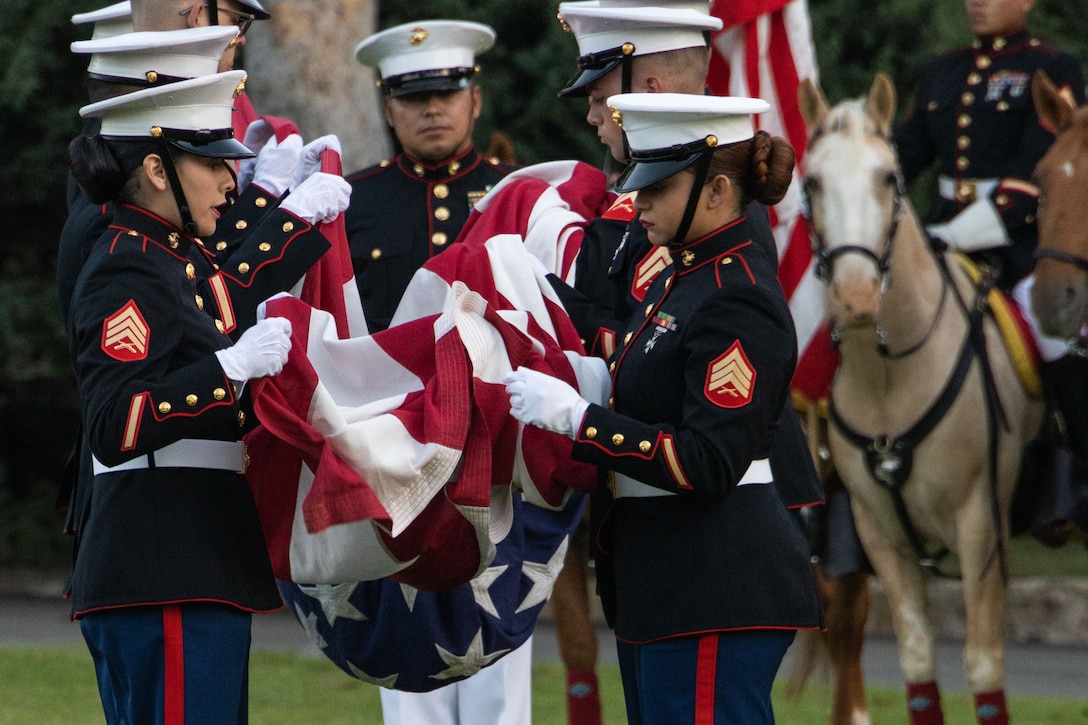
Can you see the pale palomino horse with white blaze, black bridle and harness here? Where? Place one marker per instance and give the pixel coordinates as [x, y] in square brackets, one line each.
[929, 416]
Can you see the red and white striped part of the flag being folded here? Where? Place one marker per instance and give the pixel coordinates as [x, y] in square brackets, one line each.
[409, 446]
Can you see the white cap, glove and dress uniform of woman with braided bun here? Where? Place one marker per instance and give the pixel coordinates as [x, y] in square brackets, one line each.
[703, 563]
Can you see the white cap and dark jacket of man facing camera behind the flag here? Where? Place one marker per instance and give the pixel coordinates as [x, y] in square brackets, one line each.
[407, 210]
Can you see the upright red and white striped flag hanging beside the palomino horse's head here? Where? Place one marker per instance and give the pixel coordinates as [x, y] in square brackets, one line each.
[764, 51]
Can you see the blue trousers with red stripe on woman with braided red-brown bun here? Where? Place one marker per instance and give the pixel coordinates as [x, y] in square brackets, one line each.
[721, 679]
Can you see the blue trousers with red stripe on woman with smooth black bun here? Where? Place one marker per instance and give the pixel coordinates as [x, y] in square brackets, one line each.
[171, 665]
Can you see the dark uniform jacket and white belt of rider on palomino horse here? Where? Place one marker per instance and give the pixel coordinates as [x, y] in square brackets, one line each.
[974, 117]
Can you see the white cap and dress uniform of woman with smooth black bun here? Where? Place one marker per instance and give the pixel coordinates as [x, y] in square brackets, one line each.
[170, 559]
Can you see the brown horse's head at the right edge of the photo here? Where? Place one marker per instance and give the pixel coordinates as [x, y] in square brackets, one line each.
[1060, 294]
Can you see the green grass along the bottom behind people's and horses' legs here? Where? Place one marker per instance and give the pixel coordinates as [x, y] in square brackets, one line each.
[56, 685]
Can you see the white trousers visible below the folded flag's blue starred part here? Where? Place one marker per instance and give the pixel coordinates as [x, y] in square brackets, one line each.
[498, 695]
